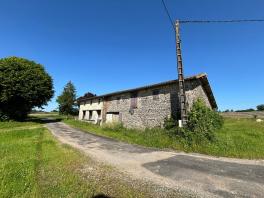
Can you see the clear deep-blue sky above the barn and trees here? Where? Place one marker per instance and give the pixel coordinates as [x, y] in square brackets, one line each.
[109, 45]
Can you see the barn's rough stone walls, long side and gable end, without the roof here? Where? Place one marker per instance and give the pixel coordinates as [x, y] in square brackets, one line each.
[150, 111]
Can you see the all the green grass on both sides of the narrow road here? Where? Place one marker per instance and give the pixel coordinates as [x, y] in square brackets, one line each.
[35, 164]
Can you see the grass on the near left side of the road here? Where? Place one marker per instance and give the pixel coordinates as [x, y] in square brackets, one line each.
[34, 164]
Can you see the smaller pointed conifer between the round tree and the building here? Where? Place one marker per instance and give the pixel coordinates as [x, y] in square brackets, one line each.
[67, 100]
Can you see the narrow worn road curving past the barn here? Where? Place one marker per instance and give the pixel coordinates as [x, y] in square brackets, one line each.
[194, 174]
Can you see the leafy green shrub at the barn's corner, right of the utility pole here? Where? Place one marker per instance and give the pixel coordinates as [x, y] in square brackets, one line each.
[203, 122]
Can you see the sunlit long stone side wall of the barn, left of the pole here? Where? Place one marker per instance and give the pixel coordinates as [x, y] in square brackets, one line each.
[149, 112]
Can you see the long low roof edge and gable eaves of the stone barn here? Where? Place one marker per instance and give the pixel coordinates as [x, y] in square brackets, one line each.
[202, 77]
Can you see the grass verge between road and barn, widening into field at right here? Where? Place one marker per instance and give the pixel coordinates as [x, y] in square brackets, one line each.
[239, 138]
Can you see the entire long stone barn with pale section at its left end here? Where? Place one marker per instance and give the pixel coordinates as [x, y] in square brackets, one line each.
[146, 106]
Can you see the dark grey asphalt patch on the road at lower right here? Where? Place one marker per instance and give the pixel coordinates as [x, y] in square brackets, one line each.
[181, 166]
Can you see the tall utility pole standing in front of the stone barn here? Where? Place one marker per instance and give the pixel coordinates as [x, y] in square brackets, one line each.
[182, 97]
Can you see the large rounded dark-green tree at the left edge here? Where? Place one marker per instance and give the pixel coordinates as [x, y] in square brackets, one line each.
[24, 85]
